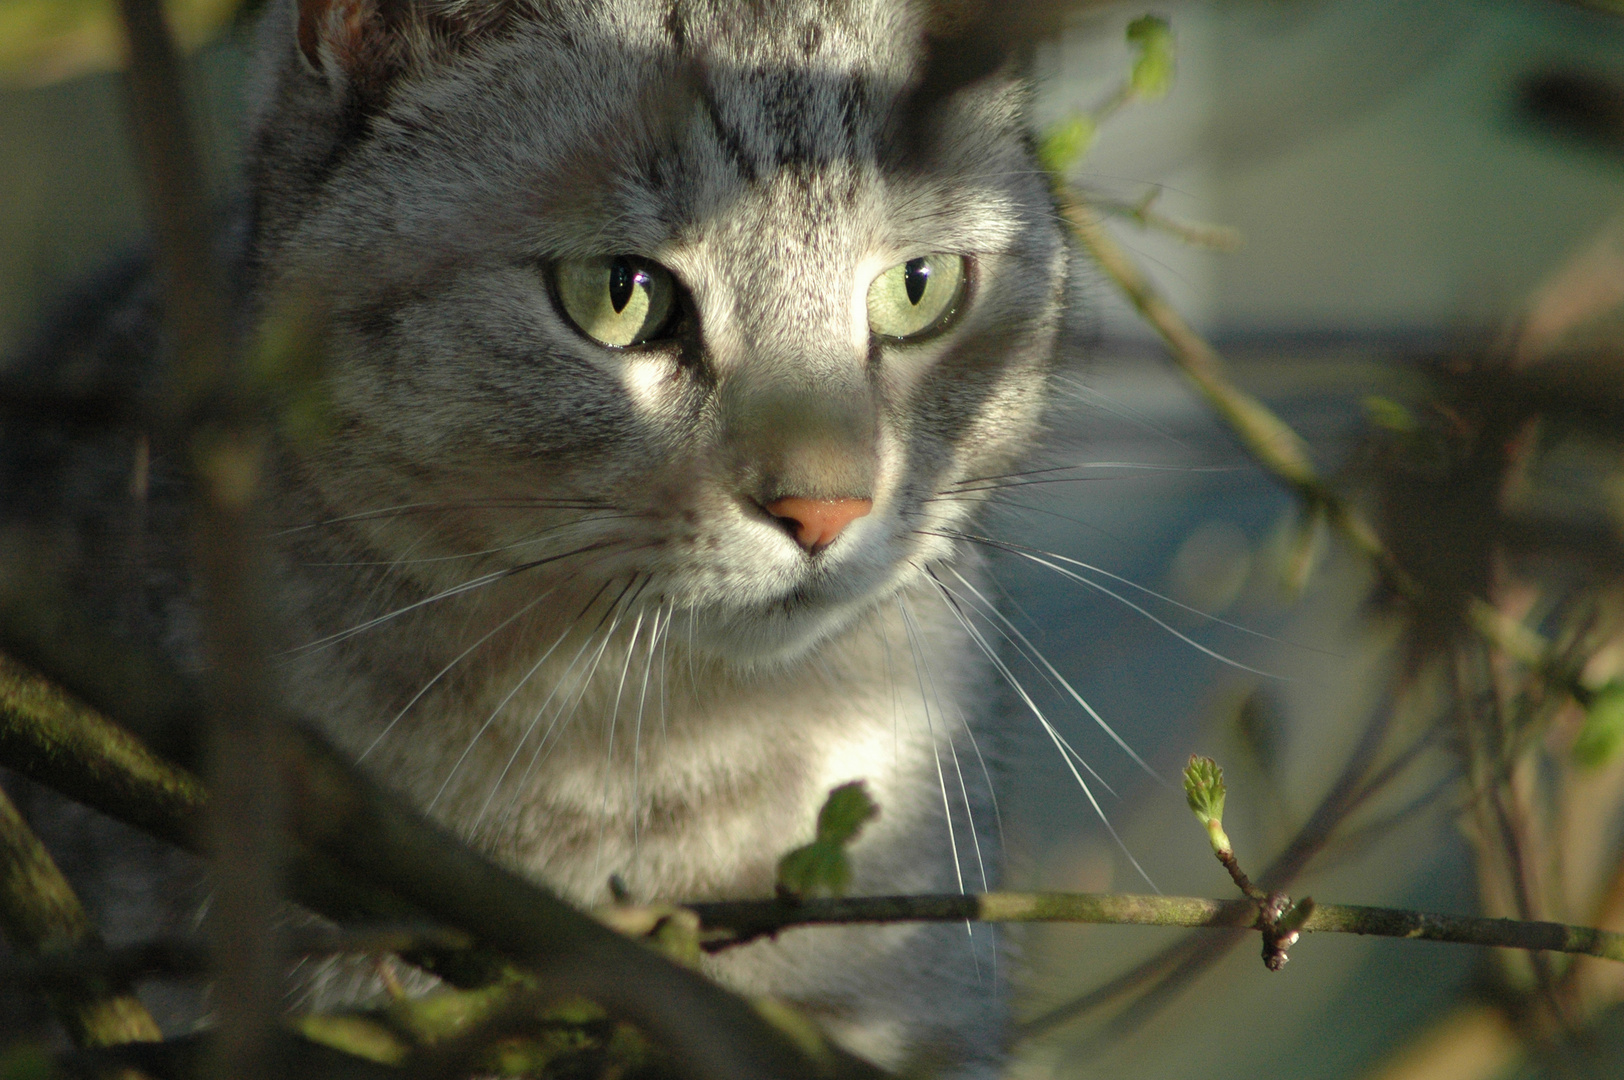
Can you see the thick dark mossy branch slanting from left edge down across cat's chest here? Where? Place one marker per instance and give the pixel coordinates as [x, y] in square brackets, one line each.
[348, 829]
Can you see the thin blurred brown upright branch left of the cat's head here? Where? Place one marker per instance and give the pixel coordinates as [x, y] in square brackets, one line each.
[244, 727]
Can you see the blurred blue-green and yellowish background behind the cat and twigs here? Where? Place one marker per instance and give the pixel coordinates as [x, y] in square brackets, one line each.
[1376, 186]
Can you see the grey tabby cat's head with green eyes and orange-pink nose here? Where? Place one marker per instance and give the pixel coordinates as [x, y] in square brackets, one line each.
[603, 288]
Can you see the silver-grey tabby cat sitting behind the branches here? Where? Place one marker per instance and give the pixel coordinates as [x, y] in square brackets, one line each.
[665, 347]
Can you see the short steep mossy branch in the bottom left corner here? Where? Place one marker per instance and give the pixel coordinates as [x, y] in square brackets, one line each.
[41, 917]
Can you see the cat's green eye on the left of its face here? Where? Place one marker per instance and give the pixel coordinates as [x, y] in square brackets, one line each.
[616, 300]
